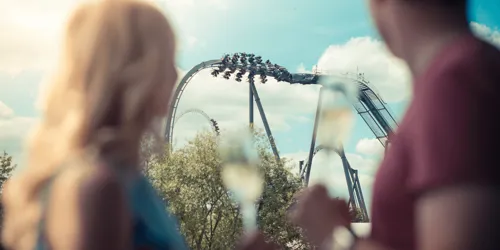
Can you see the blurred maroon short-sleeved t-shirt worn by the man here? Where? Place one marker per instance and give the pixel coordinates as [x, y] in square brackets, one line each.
[449, 136]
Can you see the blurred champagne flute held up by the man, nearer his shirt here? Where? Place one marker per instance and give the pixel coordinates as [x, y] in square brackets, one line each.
[336, 116]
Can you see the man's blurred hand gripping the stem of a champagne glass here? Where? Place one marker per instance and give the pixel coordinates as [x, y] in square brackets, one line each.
[318, 214]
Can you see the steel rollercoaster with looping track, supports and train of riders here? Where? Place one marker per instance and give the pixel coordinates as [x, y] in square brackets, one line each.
[370, 107]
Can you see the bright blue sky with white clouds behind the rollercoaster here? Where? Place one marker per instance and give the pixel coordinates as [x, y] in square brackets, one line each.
[334, 35]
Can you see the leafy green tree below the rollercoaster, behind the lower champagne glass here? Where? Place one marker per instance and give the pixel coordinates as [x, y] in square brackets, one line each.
[190, 180]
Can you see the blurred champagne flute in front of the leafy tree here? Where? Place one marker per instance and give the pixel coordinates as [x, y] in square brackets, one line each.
[241, 176]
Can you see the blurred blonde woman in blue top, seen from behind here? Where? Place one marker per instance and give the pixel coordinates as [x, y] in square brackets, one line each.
[82, 187]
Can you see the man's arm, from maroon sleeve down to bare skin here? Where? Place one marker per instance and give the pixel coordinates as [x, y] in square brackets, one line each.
[454, 170]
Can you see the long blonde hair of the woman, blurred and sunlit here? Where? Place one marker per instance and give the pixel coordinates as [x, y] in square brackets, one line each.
[117, 56]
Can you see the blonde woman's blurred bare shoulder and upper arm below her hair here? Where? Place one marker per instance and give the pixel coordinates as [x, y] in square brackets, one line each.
[87, 201]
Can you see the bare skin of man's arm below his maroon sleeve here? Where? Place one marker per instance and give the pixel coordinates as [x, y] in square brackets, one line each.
[457, 218]
